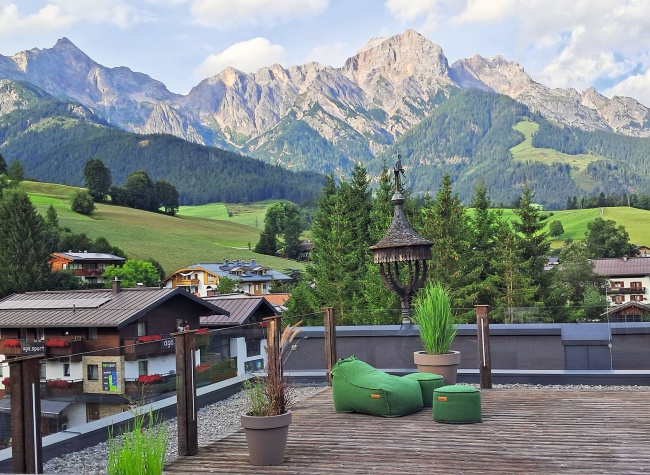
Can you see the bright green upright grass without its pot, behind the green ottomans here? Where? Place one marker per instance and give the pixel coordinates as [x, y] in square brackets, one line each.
[435, 319]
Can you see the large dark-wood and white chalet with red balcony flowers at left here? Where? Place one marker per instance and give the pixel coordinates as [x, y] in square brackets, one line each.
[103, 349]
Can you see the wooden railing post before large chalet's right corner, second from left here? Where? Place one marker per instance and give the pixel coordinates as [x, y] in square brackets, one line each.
[188, 438]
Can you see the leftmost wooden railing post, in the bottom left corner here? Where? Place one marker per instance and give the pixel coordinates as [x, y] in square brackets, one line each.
[25, 388]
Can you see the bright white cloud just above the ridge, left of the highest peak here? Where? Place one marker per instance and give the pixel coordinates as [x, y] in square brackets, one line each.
[247, 56]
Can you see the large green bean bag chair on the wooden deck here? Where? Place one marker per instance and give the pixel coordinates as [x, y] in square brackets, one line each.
[358, 387]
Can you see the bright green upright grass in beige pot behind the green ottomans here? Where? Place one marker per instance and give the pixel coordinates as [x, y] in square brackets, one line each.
[435, 321]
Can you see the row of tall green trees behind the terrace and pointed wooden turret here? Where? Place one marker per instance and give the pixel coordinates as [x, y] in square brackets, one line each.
[478, 255]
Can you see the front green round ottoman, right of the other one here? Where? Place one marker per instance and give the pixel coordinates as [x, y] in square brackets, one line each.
[457, 404]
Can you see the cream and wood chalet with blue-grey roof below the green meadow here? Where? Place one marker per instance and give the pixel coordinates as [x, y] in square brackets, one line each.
[202, 279]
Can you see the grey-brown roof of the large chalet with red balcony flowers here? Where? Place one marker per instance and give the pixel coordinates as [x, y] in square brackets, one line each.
[88, 308]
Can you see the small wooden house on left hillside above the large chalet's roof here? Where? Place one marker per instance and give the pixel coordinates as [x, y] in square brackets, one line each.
[89, 266]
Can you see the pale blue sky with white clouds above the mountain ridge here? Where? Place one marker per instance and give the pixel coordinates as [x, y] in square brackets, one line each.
[560, 43]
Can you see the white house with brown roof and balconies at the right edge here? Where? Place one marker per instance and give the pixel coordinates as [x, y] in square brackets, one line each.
[628, 278]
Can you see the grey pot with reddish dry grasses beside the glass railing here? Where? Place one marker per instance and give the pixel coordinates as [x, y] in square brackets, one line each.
[267, 417]
